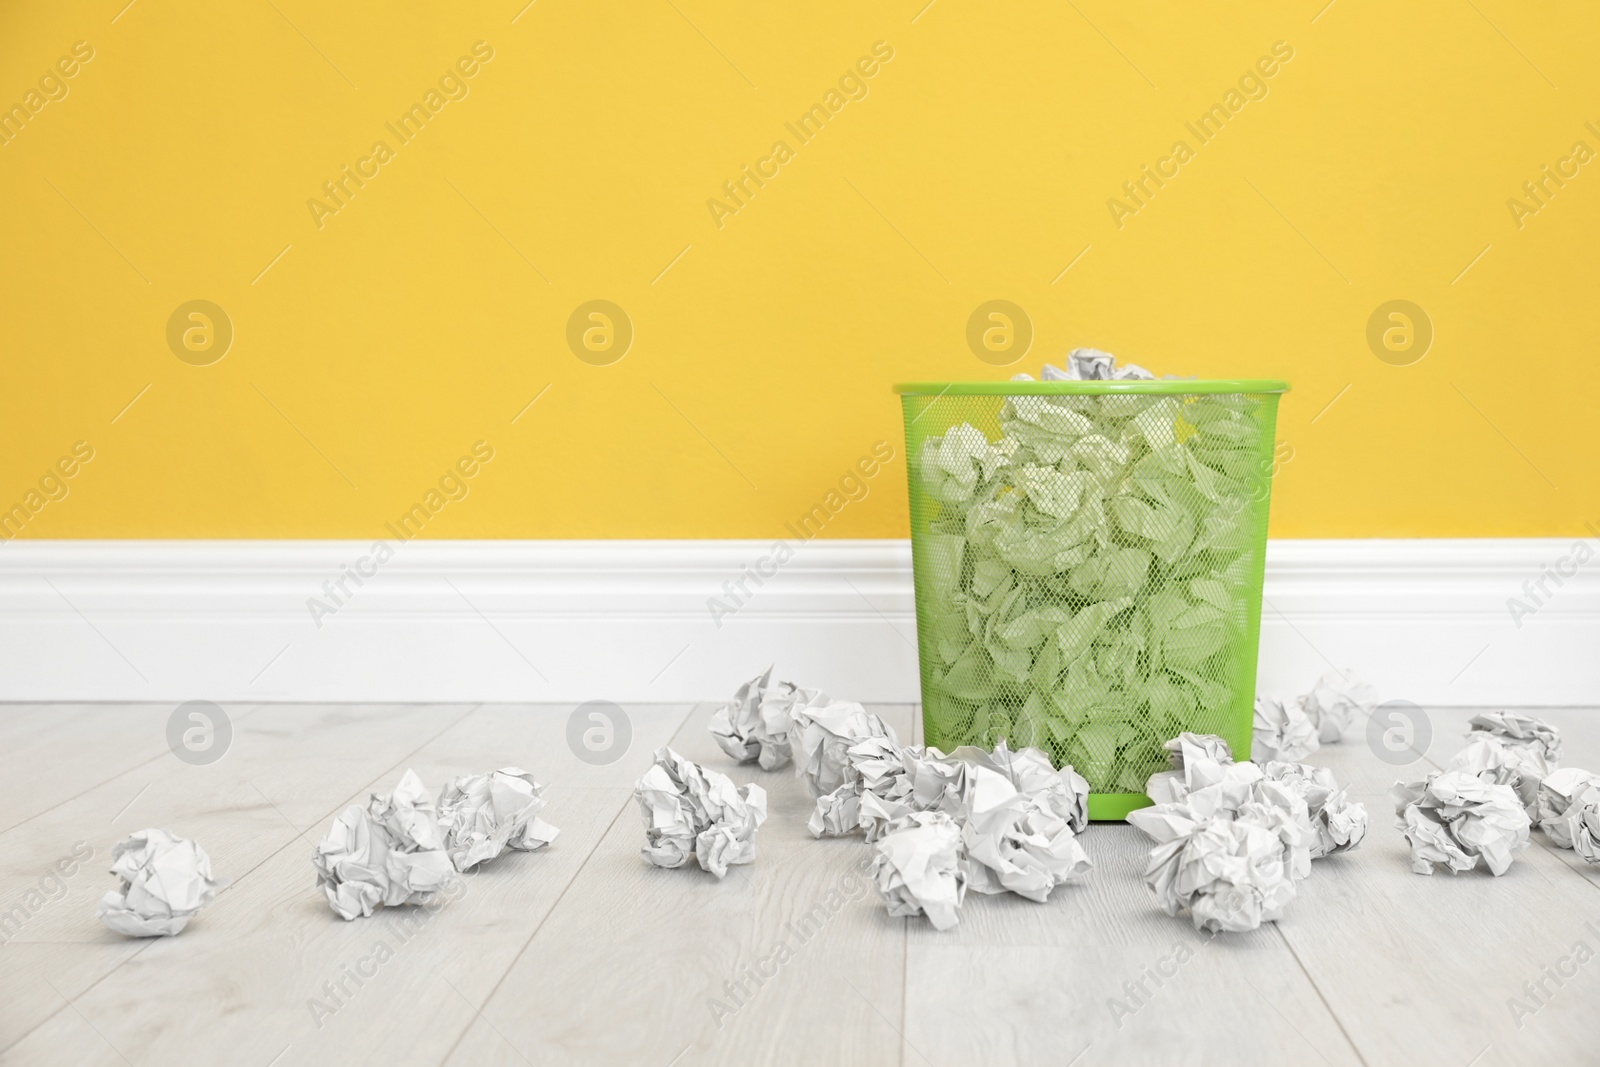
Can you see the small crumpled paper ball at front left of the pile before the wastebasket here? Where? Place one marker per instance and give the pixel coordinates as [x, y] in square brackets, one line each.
[919, 868]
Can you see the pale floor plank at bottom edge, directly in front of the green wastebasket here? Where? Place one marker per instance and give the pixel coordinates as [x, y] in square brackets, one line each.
[1022, 983]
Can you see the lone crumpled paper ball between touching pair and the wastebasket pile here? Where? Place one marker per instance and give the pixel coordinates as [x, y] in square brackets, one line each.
[692, 812]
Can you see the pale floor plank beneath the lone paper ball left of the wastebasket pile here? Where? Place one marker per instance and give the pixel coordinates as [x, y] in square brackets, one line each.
[660, 946]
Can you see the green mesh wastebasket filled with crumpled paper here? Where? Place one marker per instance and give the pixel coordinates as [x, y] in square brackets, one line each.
[1089, 565]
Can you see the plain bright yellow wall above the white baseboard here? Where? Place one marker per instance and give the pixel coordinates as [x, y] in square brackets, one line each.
[433, 308]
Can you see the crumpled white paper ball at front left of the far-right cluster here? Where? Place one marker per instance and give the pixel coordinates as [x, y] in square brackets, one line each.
[1457, 818]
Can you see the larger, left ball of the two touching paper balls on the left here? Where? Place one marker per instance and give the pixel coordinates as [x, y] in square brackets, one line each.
[388, 853]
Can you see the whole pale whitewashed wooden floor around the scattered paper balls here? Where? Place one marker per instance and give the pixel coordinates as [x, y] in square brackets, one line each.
[586, 956]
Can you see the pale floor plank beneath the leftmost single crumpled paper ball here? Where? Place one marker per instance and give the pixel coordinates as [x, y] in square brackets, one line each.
[292, 765]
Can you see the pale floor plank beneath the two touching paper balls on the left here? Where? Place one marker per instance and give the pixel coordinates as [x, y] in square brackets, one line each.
[271, 943]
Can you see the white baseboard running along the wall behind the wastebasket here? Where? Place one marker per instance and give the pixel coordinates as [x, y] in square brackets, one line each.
[630, 621]
